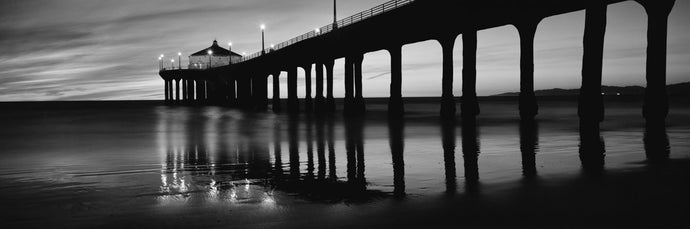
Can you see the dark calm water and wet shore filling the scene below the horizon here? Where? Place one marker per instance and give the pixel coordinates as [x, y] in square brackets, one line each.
[142, 164]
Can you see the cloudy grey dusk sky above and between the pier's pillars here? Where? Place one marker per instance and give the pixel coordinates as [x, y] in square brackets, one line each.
[108, 50]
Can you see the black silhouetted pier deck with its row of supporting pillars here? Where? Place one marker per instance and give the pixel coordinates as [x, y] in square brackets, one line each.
[399, 22]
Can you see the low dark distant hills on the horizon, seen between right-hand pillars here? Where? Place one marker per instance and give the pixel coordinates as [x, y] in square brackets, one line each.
[681, 89]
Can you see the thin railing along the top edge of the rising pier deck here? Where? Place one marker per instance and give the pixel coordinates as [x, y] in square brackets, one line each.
[385, 7]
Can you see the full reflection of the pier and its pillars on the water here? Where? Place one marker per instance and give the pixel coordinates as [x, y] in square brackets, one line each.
[237, 157]
